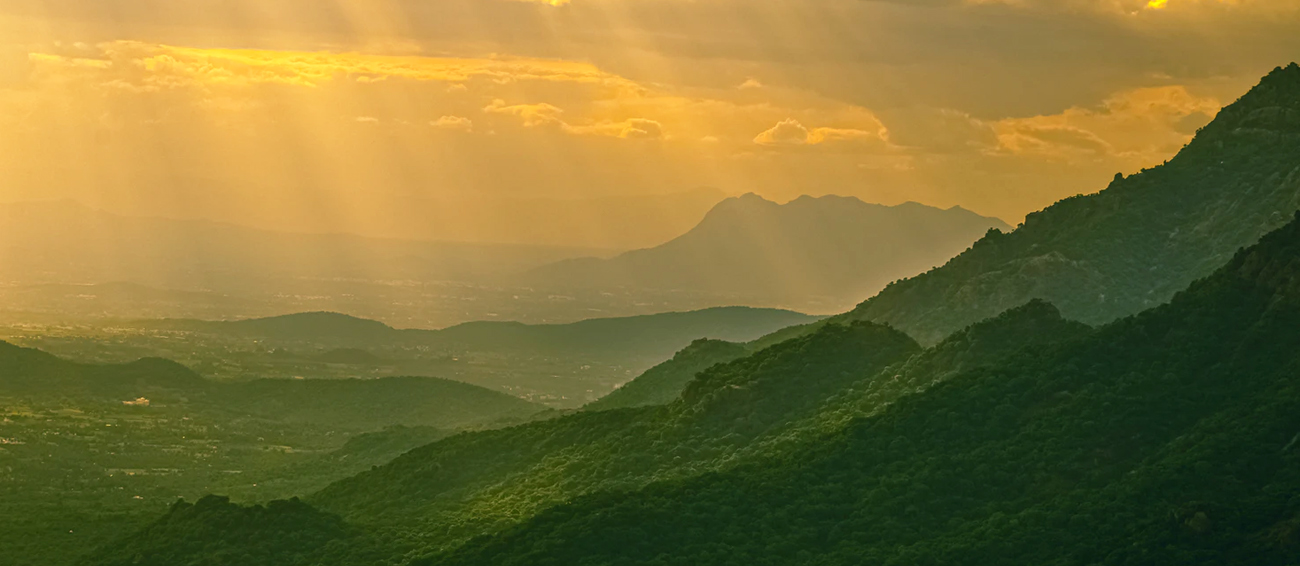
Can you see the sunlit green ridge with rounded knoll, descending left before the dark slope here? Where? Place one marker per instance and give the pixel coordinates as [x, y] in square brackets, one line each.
[499, 477]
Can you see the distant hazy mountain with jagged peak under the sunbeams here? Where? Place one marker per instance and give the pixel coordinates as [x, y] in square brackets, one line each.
[835, 248]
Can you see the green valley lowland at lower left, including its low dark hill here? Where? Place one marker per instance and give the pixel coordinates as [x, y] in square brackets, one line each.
[93, 452]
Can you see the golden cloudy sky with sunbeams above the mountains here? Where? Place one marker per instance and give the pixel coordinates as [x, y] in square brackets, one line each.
[471, 120]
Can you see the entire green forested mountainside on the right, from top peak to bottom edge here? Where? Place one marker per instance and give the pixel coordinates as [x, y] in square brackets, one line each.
[1165, 438]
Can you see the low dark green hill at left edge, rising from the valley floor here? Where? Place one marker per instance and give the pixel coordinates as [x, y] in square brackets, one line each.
[32, 377]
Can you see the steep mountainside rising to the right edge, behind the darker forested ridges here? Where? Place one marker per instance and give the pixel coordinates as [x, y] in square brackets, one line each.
[1133, 245]
